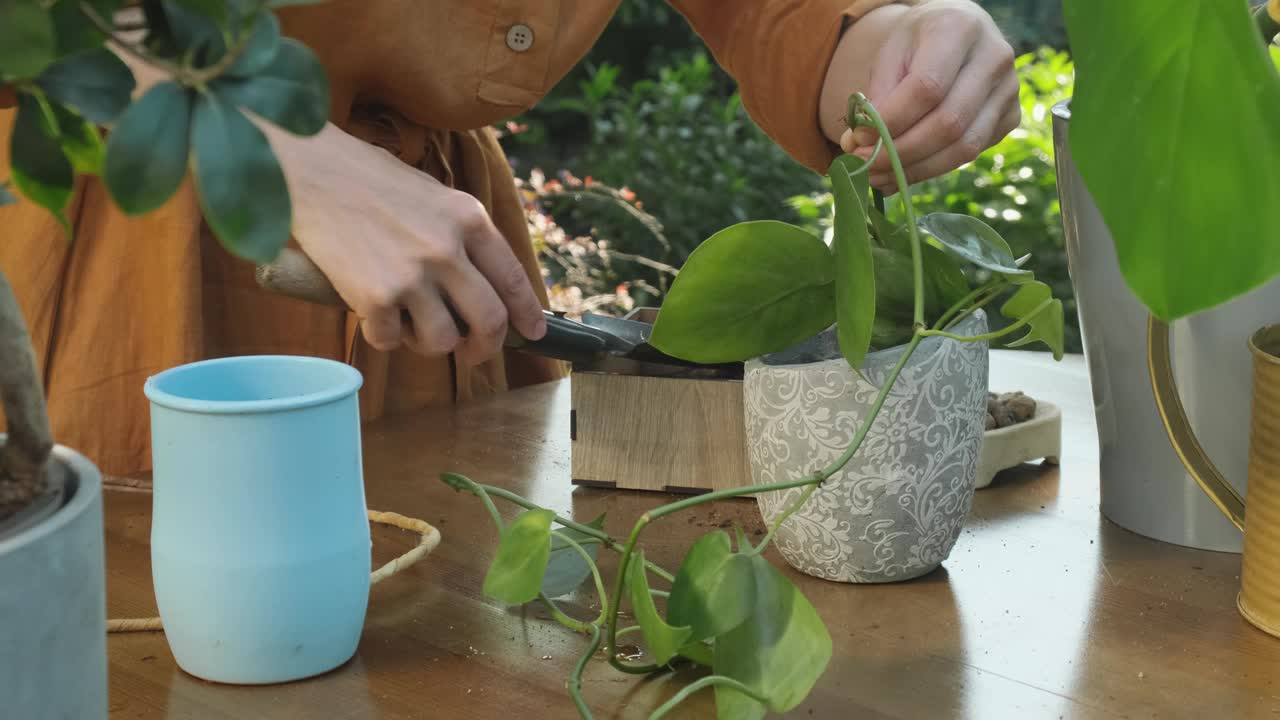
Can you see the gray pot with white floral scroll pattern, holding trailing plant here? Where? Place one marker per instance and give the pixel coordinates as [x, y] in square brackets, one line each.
[895, 512]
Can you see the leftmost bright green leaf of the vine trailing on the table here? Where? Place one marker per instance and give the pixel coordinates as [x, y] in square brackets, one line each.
[516, 573]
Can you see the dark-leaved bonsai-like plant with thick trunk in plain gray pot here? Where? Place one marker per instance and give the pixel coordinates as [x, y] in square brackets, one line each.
[76, 116]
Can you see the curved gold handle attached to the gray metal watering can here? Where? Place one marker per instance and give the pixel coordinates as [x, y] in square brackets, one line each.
[1180, 429]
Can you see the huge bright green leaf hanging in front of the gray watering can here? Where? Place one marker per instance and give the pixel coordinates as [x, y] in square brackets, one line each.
[1176, 129]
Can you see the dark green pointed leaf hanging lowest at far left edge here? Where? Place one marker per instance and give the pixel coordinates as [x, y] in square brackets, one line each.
[40, 170]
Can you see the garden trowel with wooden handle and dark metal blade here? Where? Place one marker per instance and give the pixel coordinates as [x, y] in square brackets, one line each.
[597, 344]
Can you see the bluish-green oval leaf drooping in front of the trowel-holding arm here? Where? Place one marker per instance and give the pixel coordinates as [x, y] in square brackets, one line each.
[240, 183]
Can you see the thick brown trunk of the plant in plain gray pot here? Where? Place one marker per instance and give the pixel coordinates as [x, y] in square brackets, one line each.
[25, 457]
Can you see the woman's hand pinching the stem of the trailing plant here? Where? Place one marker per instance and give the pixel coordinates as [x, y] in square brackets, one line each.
[943, 78]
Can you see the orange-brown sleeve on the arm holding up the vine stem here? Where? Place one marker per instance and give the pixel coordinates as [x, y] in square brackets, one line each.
[779, 53]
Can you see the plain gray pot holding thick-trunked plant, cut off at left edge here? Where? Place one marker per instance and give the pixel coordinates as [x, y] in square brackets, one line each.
[53, 607]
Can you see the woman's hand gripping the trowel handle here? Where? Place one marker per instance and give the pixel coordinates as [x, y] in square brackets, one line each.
[391, 238]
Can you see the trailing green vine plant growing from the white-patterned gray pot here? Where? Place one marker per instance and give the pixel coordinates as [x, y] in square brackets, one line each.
[749, 290]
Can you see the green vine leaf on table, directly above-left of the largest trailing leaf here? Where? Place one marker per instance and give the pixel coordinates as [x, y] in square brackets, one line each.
[715, 589]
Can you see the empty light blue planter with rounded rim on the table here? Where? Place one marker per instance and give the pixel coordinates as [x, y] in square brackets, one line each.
[260, 543]
